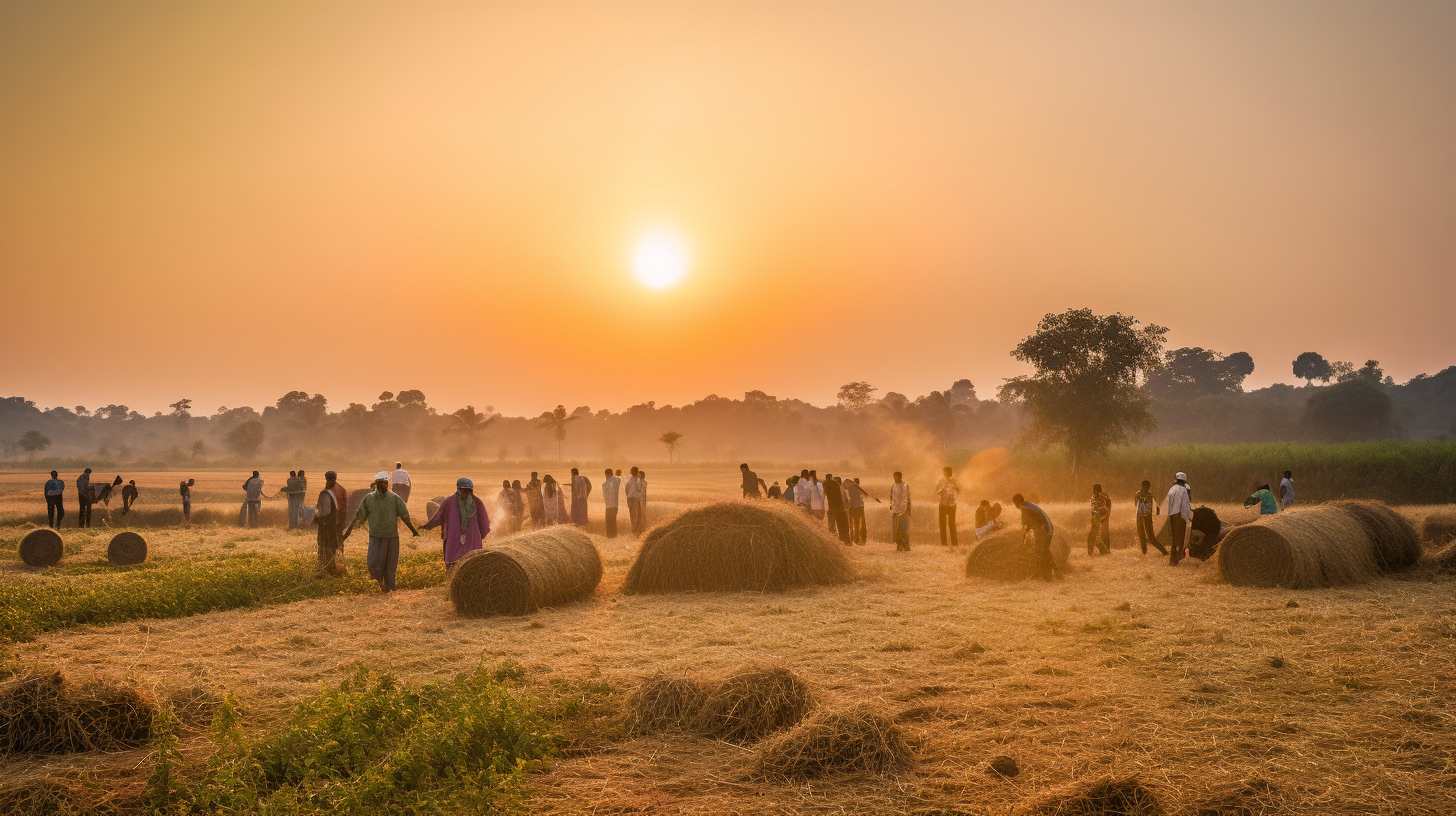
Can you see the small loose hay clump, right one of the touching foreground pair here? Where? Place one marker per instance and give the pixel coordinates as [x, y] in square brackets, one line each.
[752, 705]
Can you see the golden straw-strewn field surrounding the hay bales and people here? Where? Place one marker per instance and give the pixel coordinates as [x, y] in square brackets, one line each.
[1318, 702]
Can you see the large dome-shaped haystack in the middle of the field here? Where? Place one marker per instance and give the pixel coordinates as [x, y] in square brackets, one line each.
[737, 546]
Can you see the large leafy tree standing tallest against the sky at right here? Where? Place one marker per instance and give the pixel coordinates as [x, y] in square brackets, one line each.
[1084, 391]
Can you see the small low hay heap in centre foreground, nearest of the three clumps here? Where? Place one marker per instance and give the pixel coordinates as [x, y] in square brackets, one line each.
[852, 741]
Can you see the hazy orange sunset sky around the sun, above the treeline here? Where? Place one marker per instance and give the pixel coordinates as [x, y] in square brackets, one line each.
[228, 200]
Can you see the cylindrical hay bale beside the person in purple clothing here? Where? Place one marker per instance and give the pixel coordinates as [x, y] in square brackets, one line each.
[526, 572]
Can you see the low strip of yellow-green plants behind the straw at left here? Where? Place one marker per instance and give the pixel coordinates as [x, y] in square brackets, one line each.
[69, 597]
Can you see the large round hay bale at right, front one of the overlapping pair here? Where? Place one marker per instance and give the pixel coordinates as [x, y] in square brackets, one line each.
[1302, 549]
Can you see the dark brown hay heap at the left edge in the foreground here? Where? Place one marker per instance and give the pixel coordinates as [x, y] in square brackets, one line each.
[49, 715]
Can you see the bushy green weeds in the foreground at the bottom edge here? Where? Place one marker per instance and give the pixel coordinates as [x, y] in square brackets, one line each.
[373, 745]
